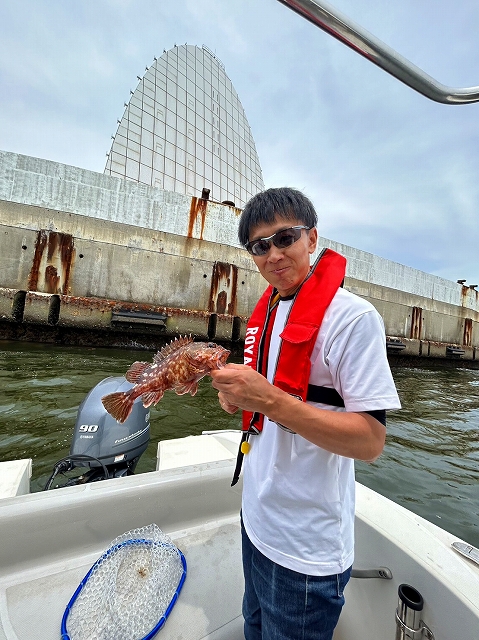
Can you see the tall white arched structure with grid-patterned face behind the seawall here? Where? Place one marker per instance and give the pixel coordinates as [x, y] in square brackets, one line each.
[184, 129]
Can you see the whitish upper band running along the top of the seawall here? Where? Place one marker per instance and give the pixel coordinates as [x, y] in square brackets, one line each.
[44, 183]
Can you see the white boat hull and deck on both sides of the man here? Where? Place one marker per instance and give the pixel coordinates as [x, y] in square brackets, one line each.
[49, 541]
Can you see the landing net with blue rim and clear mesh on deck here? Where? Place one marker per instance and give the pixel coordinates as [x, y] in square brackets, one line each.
[130, 591]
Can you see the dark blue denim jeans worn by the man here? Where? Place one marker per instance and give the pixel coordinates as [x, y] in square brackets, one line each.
[281, 604]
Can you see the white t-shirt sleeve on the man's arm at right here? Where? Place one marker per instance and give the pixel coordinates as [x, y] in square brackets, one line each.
[359, 367]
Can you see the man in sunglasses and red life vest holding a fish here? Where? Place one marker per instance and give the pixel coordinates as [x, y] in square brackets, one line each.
[314, 391]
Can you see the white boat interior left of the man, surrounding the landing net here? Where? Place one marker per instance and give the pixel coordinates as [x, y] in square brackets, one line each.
[51, 543]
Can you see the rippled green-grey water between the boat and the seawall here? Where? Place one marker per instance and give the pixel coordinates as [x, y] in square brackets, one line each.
[430, 463]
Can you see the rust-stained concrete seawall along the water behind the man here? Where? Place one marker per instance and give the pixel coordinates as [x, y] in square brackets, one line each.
[86, 254]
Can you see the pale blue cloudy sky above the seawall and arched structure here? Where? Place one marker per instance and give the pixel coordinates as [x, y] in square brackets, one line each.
[388, 170]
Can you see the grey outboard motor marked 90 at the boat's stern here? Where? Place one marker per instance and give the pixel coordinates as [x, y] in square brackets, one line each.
[100, 443]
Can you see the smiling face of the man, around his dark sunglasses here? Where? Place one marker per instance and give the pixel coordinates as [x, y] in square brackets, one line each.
[286, 268]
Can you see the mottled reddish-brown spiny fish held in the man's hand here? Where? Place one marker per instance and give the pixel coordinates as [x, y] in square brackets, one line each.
[179, 366]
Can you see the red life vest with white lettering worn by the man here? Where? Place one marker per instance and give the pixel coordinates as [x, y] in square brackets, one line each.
[297, 338]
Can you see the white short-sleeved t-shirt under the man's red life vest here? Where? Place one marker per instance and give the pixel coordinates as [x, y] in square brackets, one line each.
[298, 499]
